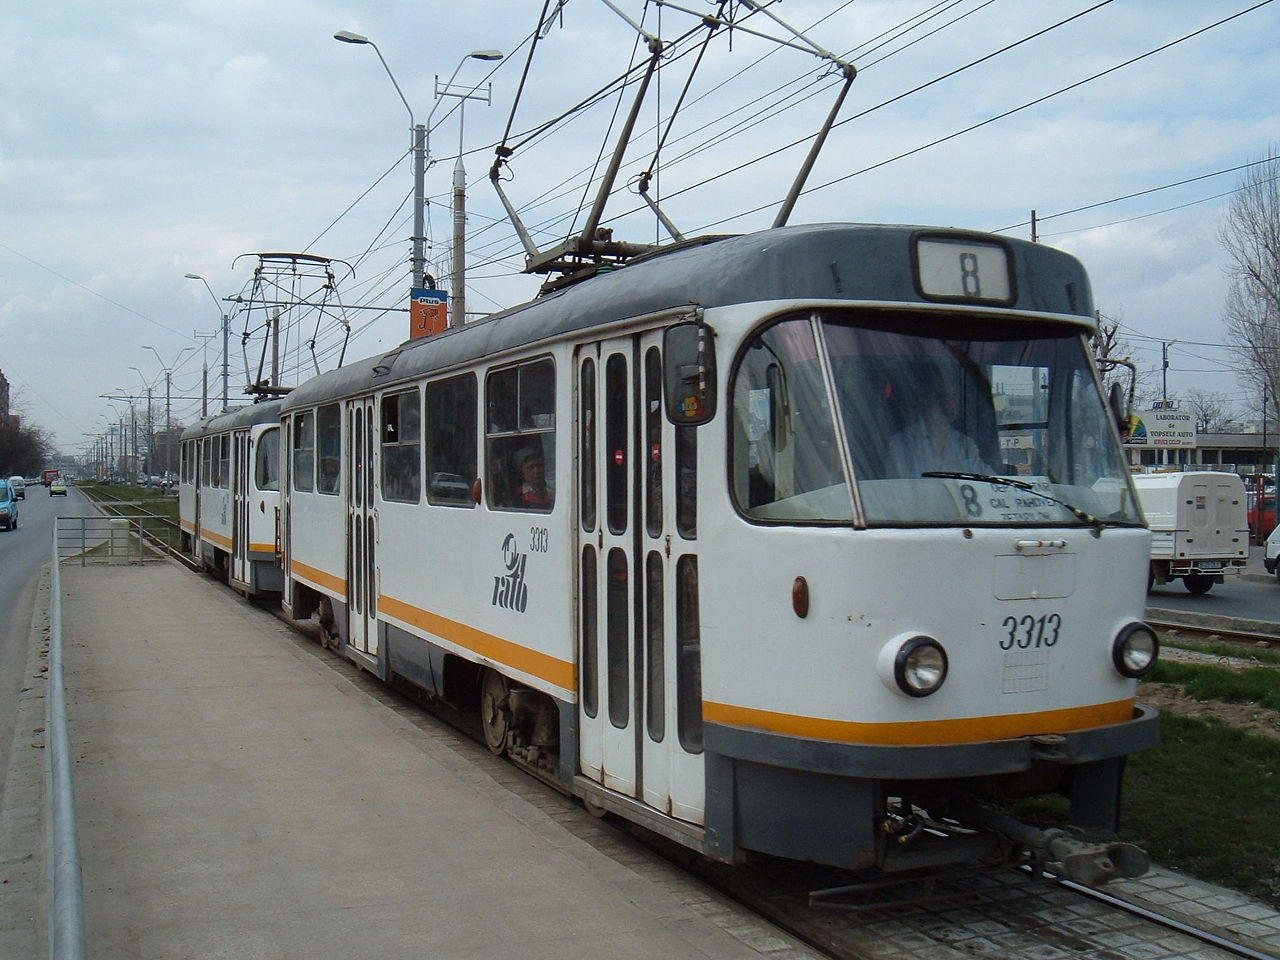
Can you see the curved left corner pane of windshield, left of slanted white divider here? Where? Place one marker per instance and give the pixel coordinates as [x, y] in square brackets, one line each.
[785, 459]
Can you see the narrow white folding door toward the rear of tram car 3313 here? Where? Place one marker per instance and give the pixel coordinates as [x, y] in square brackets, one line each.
[362, 528]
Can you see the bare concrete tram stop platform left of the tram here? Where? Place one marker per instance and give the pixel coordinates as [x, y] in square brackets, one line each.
[244, 794]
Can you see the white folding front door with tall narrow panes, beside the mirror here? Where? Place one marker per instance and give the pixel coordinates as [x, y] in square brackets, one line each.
[639, 673]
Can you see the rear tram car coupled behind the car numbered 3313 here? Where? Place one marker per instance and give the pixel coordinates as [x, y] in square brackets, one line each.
[230, 497]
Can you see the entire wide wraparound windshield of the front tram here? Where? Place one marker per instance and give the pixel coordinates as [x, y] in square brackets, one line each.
[932, 424]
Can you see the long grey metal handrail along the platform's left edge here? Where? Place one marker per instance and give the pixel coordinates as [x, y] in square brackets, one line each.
[66, 899]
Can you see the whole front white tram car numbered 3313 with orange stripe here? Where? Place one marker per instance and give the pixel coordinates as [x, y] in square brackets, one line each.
[833, 542]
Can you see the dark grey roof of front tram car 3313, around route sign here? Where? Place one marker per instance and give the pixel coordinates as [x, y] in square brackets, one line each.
[815, 262]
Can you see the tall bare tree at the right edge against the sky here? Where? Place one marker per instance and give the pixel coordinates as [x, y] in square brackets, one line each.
[1251, 236]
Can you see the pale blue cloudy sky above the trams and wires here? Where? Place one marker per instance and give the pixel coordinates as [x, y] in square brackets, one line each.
[141, 141]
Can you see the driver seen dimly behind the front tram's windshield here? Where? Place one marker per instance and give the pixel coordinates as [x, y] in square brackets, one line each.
[931, 441]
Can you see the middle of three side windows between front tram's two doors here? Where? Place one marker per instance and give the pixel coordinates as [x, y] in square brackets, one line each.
[451, 441]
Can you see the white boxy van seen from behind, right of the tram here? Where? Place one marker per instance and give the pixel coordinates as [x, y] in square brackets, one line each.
[1200, 528]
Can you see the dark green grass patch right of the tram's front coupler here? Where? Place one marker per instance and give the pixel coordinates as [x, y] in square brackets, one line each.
[1205, 803]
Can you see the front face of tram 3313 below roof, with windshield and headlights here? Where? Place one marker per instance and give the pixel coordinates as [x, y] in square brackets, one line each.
[952, 572]
